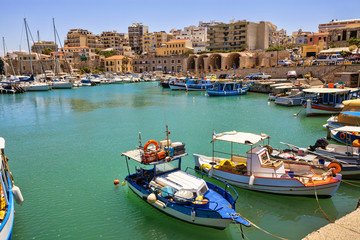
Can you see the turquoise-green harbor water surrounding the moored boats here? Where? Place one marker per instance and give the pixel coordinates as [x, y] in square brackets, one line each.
[64, 148]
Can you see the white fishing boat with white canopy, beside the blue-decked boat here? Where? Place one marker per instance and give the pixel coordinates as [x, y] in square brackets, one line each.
[257, 171]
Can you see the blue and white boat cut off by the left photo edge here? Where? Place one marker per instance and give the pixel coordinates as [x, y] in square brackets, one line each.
[9, 192]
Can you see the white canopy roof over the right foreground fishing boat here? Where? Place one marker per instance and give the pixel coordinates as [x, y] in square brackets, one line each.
[240, 137]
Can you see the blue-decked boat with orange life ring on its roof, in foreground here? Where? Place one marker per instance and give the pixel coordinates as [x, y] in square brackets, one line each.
[160, 182]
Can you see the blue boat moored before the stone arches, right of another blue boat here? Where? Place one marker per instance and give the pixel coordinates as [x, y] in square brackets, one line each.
[228, 88]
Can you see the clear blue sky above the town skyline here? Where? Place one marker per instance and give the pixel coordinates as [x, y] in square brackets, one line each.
[104, 15]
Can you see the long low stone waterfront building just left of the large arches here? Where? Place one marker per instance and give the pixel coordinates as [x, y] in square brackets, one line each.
[164, 63]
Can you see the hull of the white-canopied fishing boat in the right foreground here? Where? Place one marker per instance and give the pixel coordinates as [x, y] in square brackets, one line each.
[277, 185]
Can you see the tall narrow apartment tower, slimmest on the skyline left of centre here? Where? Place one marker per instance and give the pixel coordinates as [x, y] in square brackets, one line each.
[136, 32]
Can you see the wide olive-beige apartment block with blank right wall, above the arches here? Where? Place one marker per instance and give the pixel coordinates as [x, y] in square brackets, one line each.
[236, 35]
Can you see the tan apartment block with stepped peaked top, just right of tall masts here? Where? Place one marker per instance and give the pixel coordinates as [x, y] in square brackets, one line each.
[81, 37]
